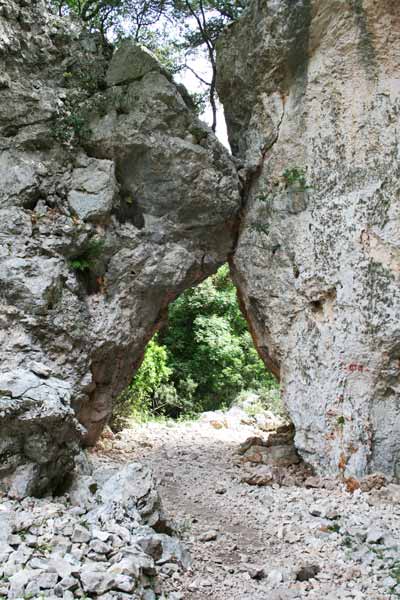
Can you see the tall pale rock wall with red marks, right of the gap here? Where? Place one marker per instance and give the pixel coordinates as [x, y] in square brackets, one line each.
[311, 91]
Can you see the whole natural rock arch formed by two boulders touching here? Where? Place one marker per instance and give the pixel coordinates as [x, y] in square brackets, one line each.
[115, 197]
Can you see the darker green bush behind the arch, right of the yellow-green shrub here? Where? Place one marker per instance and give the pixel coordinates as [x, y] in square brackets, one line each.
[208, 342]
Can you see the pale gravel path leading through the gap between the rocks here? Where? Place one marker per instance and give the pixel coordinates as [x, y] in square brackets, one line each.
[272, 542]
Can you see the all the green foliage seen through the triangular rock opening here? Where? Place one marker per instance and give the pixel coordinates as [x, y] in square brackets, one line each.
[202, 360]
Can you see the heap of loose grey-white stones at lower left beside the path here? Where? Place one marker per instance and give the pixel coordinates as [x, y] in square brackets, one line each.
[98, 541]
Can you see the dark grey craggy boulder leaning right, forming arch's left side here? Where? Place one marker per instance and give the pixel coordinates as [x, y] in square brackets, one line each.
[114, 198]
